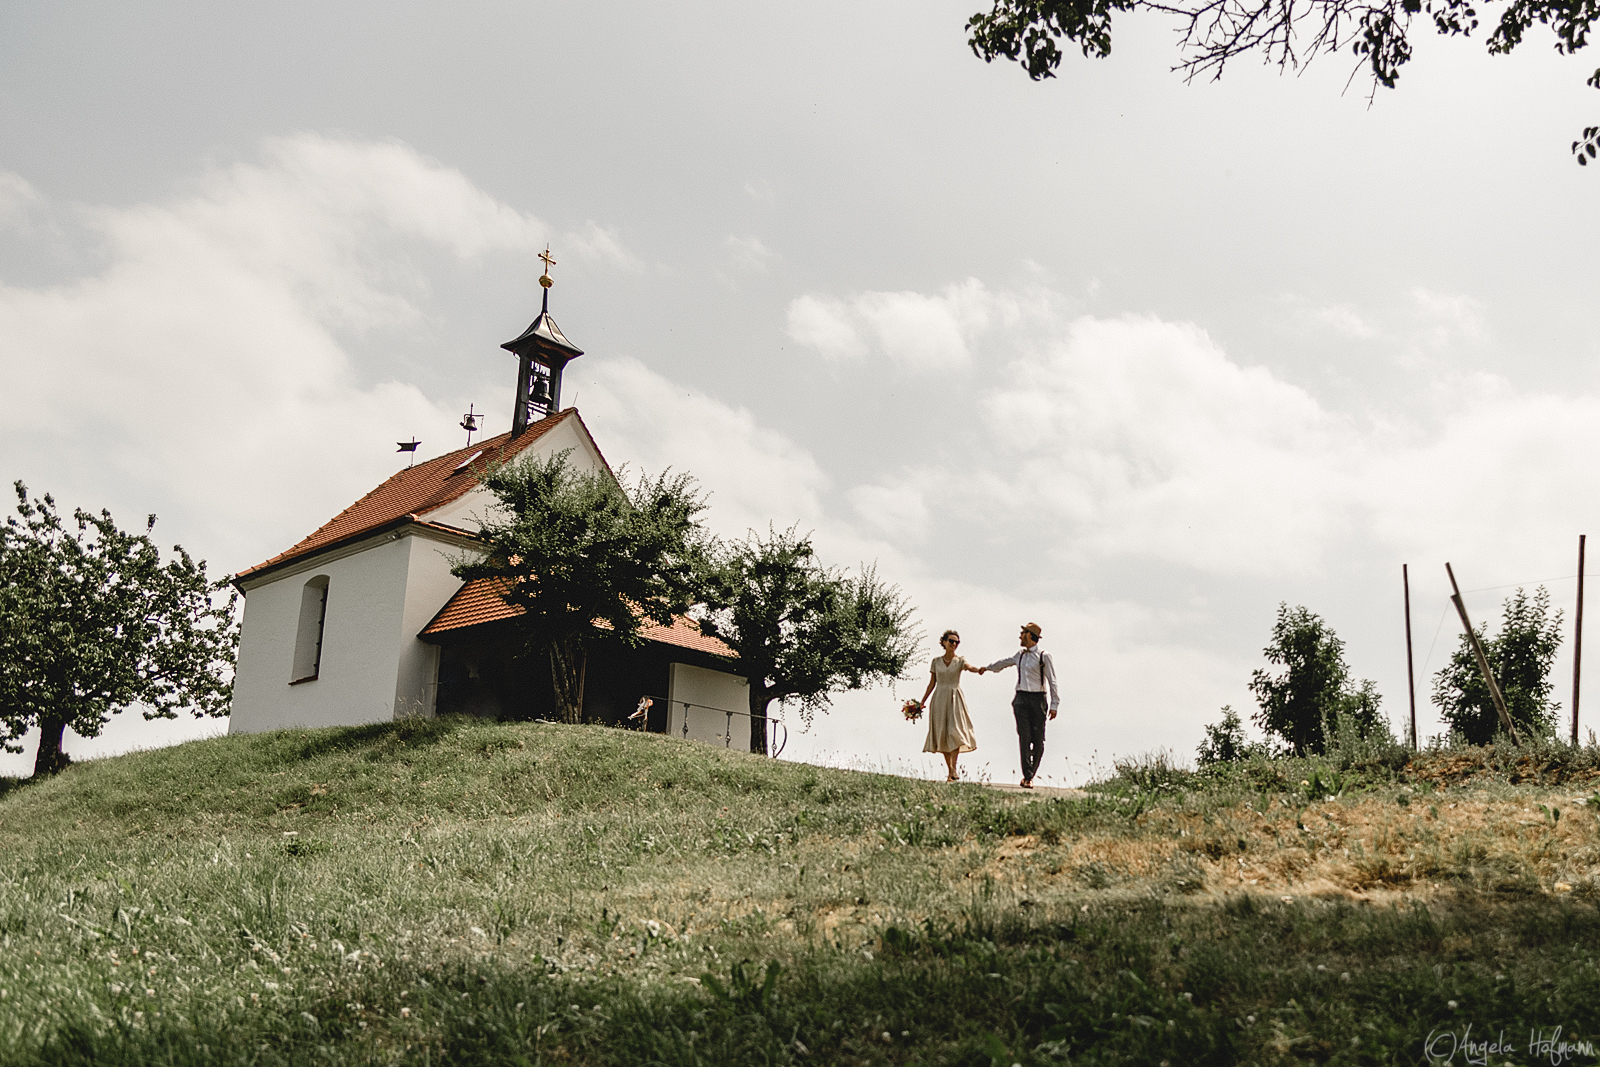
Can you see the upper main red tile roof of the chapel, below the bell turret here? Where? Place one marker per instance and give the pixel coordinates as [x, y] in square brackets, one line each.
[415, 492]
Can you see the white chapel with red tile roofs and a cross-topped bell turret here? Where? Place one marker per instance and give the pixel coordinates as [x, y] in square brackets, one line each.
[364, 623]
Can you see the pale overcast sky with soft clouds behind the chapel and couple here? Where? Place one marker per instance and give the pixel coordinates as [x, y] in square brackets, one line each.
[1132, 359]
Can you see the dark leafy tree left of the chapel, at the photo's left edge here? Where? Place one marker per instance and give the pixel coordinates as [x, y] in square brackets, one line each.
[94, 623]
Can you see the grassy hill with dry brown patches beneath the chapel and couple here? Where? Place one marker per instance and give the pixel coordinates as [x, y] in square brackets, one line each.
[481, 893]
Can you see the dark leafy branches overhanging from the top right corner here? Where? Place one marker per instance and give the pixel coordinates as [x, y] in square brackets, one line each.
[1284, 33]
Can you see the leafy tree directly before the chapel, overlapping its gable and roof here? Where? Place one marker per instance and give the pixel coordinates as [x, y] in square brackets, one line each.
[582, 553]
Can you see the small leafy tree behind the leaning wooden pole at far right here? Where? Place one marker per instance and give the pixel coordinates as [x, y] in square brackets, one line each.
[1521, 660]
